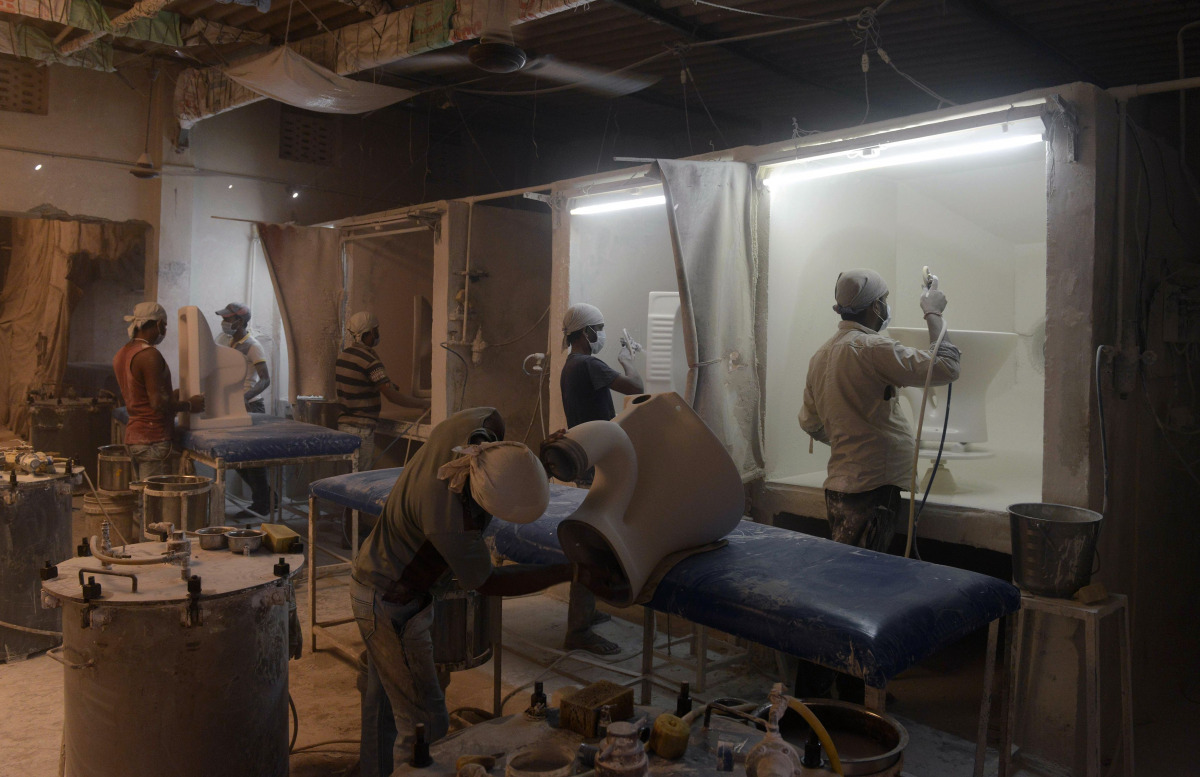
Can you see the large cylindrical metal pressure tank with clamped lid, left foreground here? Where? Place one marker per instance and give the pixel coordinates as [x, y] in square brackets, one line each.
[173, 676]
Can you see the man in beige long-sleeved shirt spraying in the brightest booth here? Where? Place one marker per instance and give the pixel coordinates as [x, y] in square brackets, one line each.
[851, 403]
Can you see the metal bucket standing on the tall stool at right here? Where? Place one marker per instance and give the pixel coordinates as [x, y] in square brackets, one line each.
[1053, 547]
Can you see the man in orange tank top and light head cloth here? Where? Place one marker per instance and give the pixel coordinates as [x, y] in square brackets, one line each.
[145, 380]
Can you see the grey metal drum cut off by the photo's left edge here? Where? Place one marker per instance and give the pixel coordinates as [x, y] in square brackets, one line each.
[35, 528]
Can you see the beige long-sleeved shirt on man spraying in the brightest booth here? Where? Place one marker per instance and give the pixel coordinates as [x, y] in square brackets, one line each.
[853, 405]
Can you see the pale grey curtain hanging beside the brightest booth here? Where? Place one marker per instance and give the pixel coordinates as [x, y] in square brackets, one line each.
[712, 214]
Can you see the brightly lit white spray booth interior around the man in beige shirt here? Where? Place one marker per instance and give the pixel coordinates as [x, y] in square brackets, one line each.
[971, 206]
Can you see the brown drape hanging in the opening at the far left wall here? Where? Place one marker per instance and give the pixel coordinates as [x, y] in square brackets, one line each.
[51, 264]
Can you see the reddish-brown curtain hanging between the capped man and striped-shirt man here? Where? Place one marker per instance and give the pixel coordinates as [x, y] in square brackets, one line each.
[307, 273]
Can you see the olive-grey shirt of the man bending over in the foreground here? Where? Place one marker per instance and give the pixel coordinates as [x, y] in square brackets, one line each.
[425, 531]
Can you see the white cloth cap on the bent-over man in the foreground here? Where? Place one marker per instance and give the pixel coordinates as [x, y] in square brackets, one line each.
[507, 480]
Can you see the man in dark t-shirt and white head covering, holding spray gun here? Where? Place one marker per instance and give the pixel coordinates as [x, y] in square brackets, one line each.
[587, 384]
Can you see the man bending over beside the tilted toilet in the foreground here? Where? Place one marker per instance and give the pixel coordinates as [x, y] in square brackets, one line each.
[428, 541]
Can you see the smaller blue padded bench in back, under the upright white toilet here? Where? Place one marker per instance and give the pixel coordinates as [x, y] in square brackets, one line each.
[269, 442]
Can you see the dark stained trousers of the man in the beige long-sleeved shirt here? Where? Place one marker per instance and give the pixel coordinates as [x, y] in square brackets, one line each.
[868, 521]
